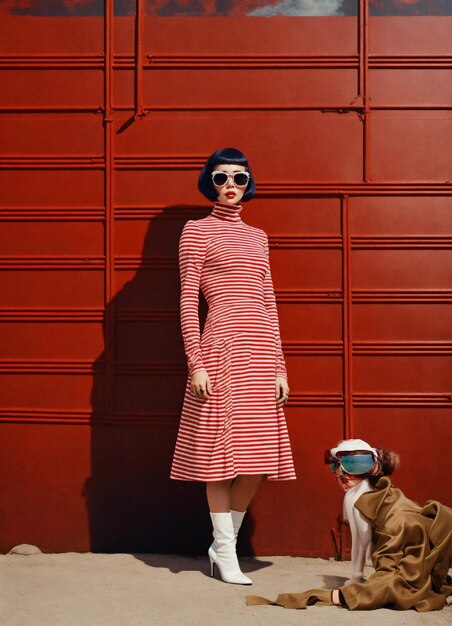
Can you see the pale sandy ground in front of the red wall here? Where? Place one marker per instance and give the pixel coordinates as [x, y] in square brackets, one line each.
[167, 590]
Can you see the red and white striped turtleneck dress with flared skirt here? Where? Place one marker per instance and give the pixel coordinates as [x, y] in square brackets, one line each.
[239, 429]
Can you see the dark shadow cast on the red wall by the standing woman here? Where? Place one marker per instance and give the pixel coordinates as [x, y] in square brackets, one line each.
[132, 504]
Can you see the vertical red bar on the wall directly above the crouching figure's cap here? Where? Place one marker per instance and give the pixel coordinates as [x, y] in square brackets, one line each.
[346, 318]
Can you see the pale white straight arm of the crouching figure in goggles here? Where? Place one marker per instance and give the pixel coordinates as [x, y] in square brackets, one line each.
[360, 528]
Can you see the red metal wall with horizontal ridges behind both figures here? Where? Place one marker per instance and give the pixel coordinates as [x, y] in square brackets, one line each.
[105, 123]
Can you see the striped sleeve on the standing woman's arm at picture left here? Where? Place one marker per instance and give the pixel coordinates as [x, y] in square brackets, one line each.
[192, 251]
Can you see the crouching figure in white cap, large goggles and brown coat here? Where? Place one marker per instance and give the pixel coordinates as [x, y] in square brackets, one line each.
[410, 545]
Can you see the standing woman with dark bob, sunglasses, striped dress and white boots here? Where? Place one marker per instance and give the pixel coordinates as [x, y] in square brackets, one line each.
[232, 433]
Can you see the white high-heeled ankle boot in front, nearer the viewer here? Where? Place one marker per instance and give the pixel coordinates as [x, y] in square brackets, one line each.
[224, 556]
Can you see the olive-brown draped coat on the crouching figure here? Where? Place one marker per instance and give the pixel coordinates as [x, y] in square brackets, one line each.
[411, 554]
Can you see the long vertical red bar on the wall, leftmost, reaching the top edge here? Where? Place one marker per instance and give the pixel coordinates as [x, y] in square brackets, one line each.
[109, 212]
